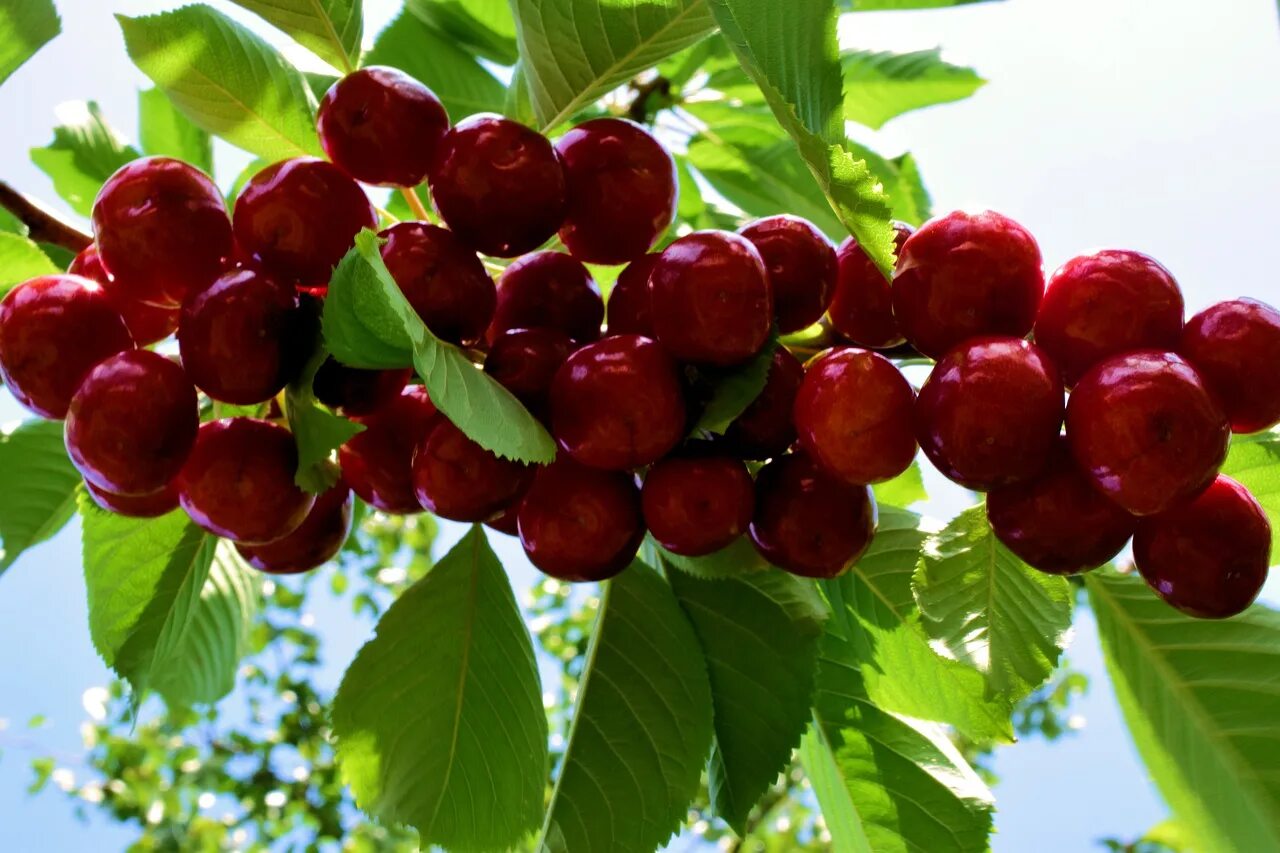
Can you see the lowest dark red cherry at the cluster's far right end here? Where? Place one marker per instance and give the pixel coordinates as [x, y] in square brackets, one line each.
[1209, 558]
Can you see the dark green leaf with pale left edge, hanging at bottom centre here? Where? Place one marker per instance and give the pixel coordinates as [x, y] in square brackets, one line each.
[642, 726]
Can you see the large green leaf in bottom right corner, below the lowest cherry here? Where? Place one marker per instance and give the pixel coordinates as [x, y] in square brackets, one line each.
[1201, 705]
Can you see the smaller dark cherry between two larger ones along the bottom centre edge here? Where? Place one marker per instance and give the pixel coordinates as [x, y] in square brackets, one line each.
[698, 505]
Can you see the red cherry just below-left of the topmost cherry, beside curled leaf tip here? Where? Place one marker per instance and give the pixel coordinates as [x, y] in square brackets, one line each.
[298, 218]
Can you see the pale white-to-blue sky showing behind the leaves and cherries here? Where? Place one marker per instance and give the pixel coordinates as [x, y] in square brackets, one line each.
[1127, 124]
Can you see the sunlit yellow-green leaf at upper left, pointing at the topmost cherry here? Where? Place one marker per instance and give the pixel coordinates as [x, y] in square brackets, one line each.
[226, 80]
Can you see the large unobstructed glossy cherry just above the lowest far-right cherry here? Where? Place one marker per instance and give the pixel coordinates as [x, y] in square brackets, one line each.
[1148, 431]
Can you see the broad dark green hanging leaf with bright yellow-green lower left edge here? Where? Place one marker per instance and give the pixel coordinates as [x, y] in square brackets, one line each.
[440, 720]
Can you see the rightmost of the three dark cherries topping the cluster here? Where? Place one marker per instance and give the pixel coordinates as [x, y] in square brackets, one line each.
[621, 191]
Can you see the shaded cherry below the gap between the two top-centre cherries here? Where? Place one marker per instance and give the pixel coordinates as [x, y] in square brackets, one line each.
[548, 290]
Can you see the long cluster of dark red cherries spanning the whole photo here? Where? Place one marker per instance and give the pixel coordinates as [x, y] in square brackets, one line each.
[1151, 408]
